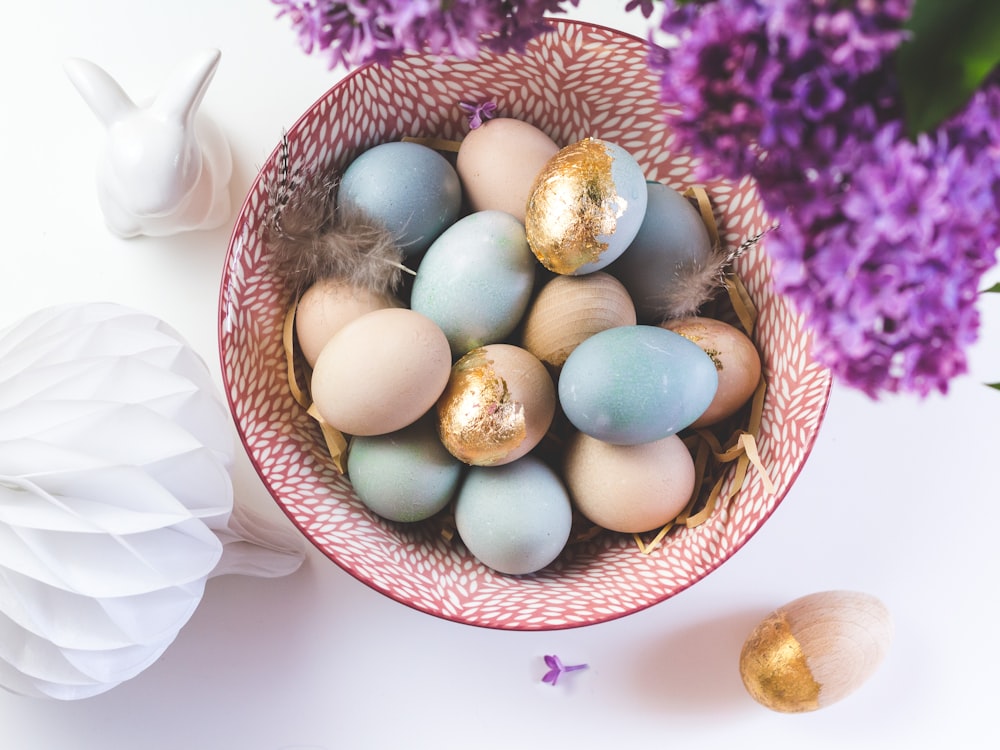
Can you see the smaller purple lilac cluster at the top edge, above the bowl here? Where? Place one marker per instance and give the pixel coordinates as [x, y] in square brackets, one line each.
[354, 32]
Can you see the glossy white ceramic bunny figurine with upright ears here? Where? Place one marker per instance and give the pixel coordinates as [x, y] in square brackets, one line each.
[165, 167]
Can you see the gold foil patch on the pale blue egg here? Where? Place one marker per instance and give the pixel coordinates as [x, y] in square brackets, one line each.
[572, 203]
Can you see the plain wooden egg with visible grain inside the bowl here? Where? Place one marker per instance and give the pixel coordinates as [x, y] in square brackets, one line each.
[570, 309]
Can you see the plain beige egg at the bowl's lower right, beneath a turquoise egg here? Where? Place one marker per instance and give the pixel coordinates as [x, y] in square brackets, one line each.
[629, 488]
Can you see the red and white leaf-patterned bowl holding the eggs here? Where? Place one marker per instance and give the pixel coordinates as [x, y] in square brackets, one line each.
[580, 80]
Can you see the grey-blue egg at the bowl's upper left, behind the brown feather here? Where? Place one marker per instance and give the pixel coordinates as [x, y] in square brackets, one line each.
[409, 188]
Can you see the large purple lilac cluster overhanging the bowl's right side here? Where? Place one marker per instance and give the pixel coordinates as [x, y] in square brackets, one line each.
[883, 238]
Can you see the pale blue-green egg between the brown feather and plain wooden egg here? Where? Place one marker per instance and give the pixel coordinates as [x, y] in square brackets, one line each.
[476, 280]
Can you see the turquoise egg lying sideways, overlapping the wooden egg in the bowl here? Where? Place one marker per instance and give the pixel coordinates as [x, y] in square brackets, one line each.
[632, 384]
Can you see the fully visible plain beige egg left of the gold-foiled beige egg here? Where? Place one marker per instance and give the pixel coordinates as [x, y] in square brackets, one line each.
[381, 372]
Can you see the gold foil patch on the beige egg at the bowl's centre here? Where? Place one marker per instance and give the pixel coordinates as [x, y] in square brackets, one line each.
[478, 421]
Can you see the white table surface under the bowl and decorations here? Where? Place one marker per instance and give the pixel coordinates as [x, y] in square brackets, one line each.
[899, 498]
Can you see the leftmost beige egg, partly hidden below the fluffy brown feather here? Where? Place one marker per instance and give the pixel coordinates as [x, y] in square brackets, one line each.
[326, 307]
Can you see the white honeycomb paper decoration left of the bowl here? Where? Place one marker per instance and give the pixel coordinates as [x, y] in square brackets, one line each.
[116, 498]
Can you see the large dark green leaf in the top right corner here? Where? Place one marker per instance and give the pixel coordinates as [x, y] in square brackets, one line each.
[954, 45]
